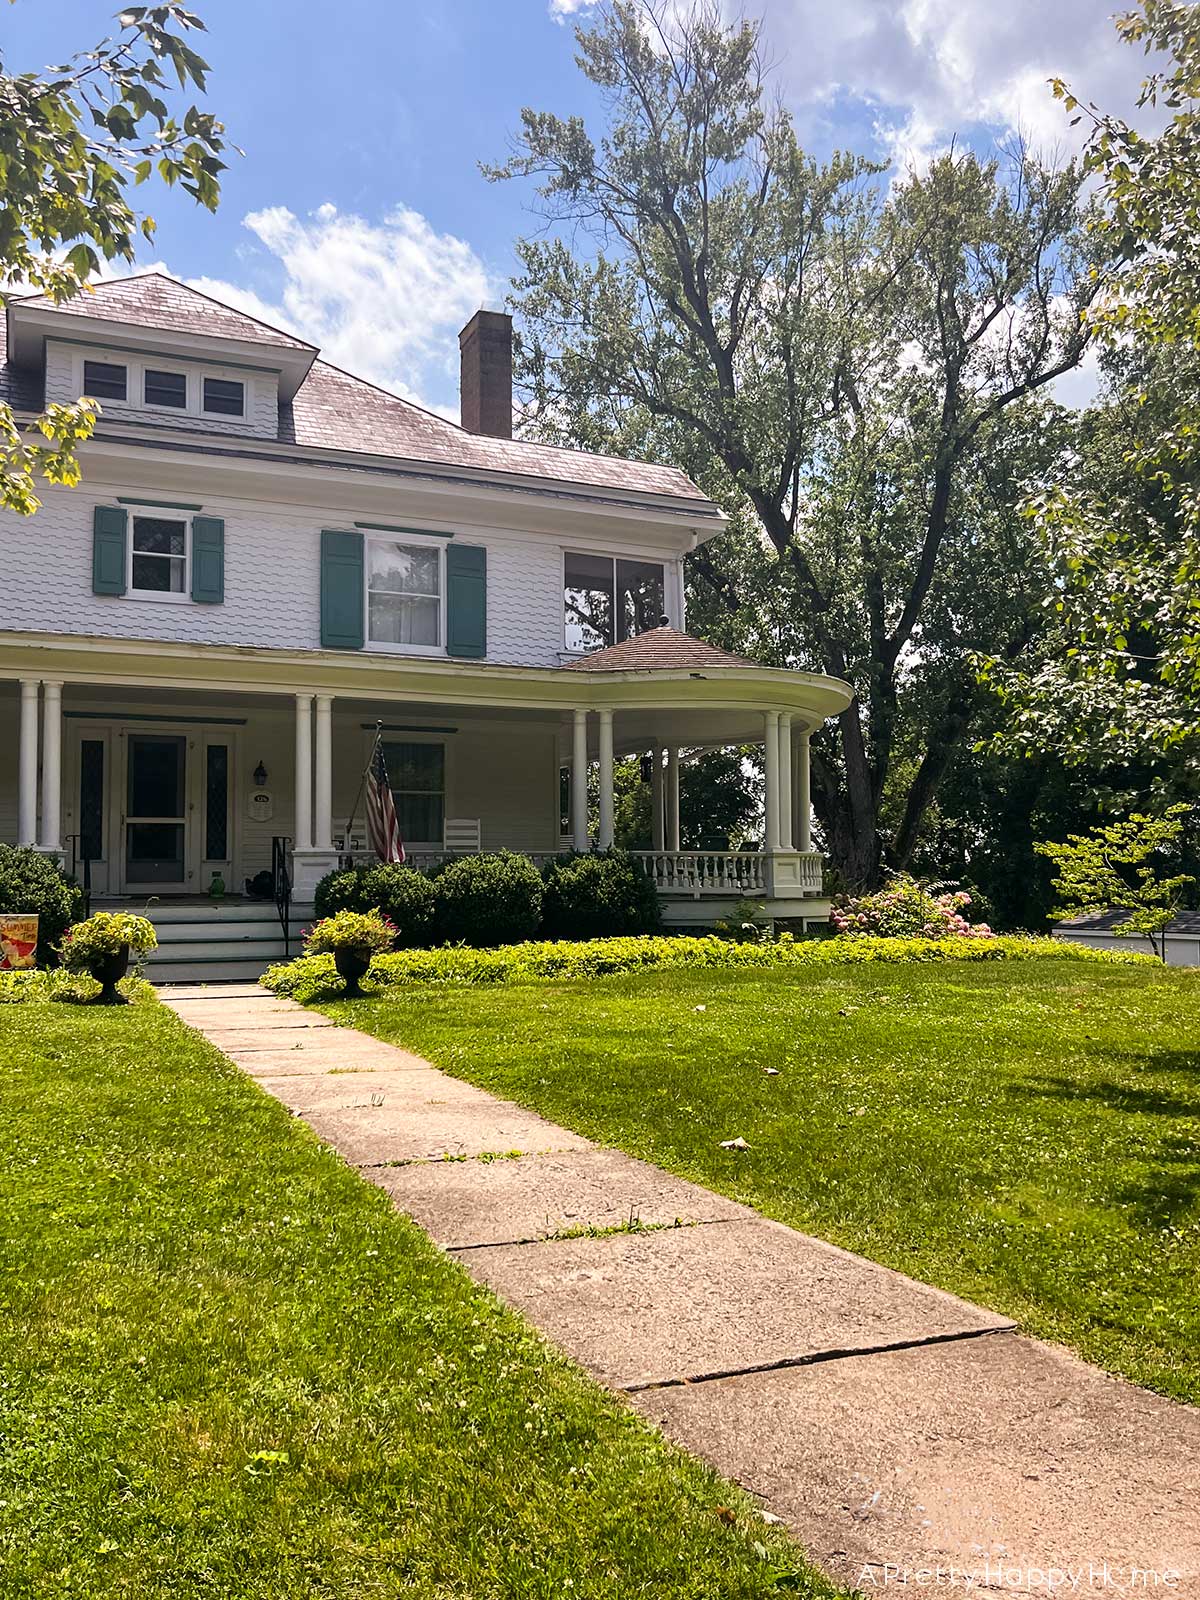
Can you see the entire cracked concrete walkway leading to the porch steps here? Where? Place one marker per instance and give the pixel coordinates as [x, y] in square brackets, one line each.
[910, 1441]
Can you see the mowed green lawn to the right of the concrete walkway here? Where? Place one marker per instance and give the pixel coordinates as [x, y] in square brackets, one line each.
[1026, 1135]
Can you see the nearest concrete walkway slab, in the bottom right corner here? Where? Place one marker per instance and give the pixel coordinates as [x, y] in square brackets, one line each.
[999, 1458]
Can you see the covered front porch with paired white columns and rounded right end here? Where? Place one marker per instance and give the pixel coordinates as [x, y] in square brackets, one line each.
[167, 778]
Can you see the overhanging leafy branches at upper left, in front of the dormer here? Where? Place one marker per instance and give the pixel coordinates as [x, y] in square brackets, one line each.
[73, 146]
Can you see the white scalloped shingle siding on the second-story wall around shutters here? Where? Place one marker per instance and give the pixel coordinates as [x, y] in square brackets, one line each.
[273, 583]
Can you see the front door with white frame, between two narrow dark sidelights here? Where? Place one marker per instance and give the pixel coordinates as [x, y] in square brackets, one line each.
[156, 812]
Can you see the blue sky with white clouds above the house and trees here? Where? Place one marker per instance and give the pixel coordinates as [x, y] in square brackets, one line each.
[359, 217]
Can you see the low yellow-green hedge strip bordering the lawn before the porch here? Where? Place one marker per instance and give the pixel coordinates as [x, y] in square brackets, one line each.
[311, 977]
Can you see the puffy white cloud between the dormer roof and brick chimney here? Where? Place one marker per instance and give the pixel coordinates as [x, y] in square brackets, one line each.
[383, 300]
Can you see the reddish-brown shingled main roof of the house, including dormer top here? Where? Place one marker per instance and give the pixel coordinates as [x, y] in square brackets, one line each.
[335, 410]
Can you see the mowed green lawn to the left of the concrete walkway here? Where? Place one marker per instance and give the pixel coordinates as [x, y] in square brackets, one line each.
[231, 1370]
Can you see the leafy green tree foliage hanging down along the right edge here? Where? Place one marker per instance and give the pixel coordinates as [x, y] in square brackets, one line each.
[1121, 674]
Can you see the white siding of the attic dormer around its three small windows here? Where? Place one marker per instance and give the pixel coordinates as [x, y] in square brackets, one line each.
[65, 383]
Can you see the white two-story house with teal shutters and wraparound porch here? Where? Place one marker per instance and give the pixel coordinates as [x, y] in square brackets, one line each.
[270, 558]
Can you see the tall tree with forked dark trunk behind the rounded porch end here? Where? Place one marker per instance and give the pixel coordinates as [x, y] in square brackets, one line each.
[855, 375]
